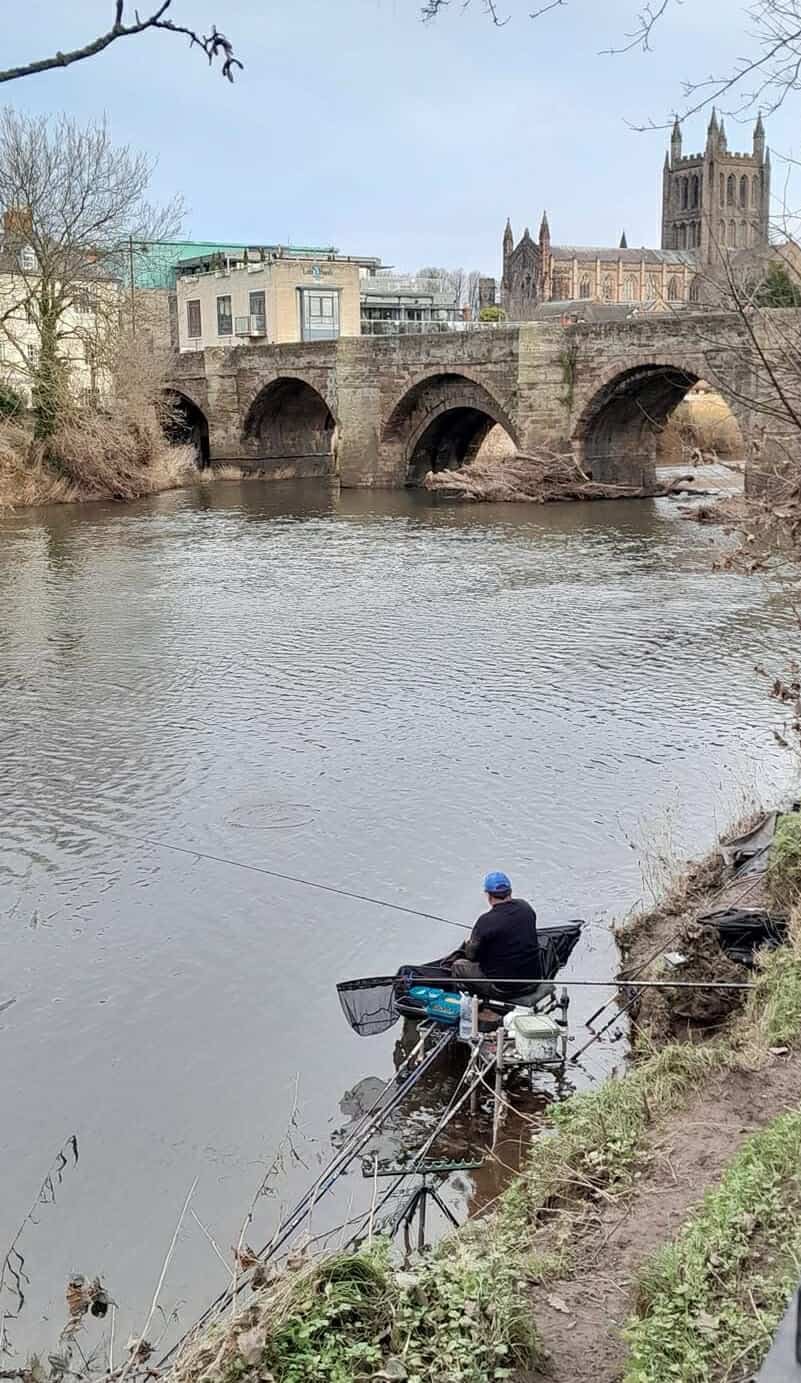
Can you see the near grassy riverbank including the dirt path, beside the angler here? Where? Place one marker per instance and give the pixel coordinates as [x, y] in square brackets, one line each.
[600, 1250]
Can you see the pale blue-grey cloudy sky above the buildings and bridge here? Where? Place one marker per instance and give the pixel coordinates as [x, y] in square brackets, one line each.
[359, 127]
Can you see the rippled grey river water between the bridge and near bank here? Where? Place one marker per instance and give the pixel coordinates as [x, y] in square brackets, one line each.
[367, 691]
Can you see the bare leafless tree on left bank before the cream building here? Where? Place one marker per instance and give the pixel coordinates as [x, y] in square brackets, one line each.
[74, 207]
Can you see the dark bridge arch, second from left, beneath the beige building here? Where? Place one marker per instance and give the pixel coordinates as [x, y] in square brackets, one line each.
[291, 421]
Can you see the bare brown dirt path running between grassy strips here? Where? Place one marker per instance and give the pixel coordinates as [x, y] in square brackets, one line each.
[690, 1153]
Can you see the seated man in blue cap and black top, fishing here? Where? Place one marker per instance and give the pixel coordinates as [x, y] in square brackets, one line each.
[503, 945]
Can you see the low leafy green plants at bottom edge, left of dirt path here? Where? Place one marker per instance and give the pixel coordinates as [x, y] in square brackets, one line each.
[461, 1317]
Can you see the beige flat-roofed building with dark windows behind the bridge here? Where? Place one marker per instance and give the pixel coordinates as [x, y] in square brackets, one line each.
[270, 294]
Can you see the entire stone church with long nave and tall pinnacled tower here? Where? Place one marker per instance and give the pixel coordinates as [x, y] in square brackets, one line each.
[712, 201]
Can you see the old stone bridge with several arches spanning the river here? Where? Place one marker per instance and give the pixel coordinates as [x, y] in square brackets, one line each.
[385, 411]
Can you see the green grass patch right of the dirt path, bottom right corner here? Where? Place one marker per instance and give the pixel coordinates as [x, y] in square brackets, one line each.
[710, 1302]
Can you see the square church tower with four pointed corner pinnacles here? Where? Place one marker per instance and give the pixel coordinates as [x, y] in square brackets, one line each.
[717, 200]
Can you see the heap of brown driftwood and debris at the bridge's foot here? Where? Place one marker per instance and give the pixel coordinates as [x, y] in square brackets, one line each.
[540, 479]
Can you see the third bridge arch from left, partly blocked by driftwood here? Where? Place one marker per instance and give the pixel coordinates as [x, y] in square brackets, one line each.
[442, 423]
